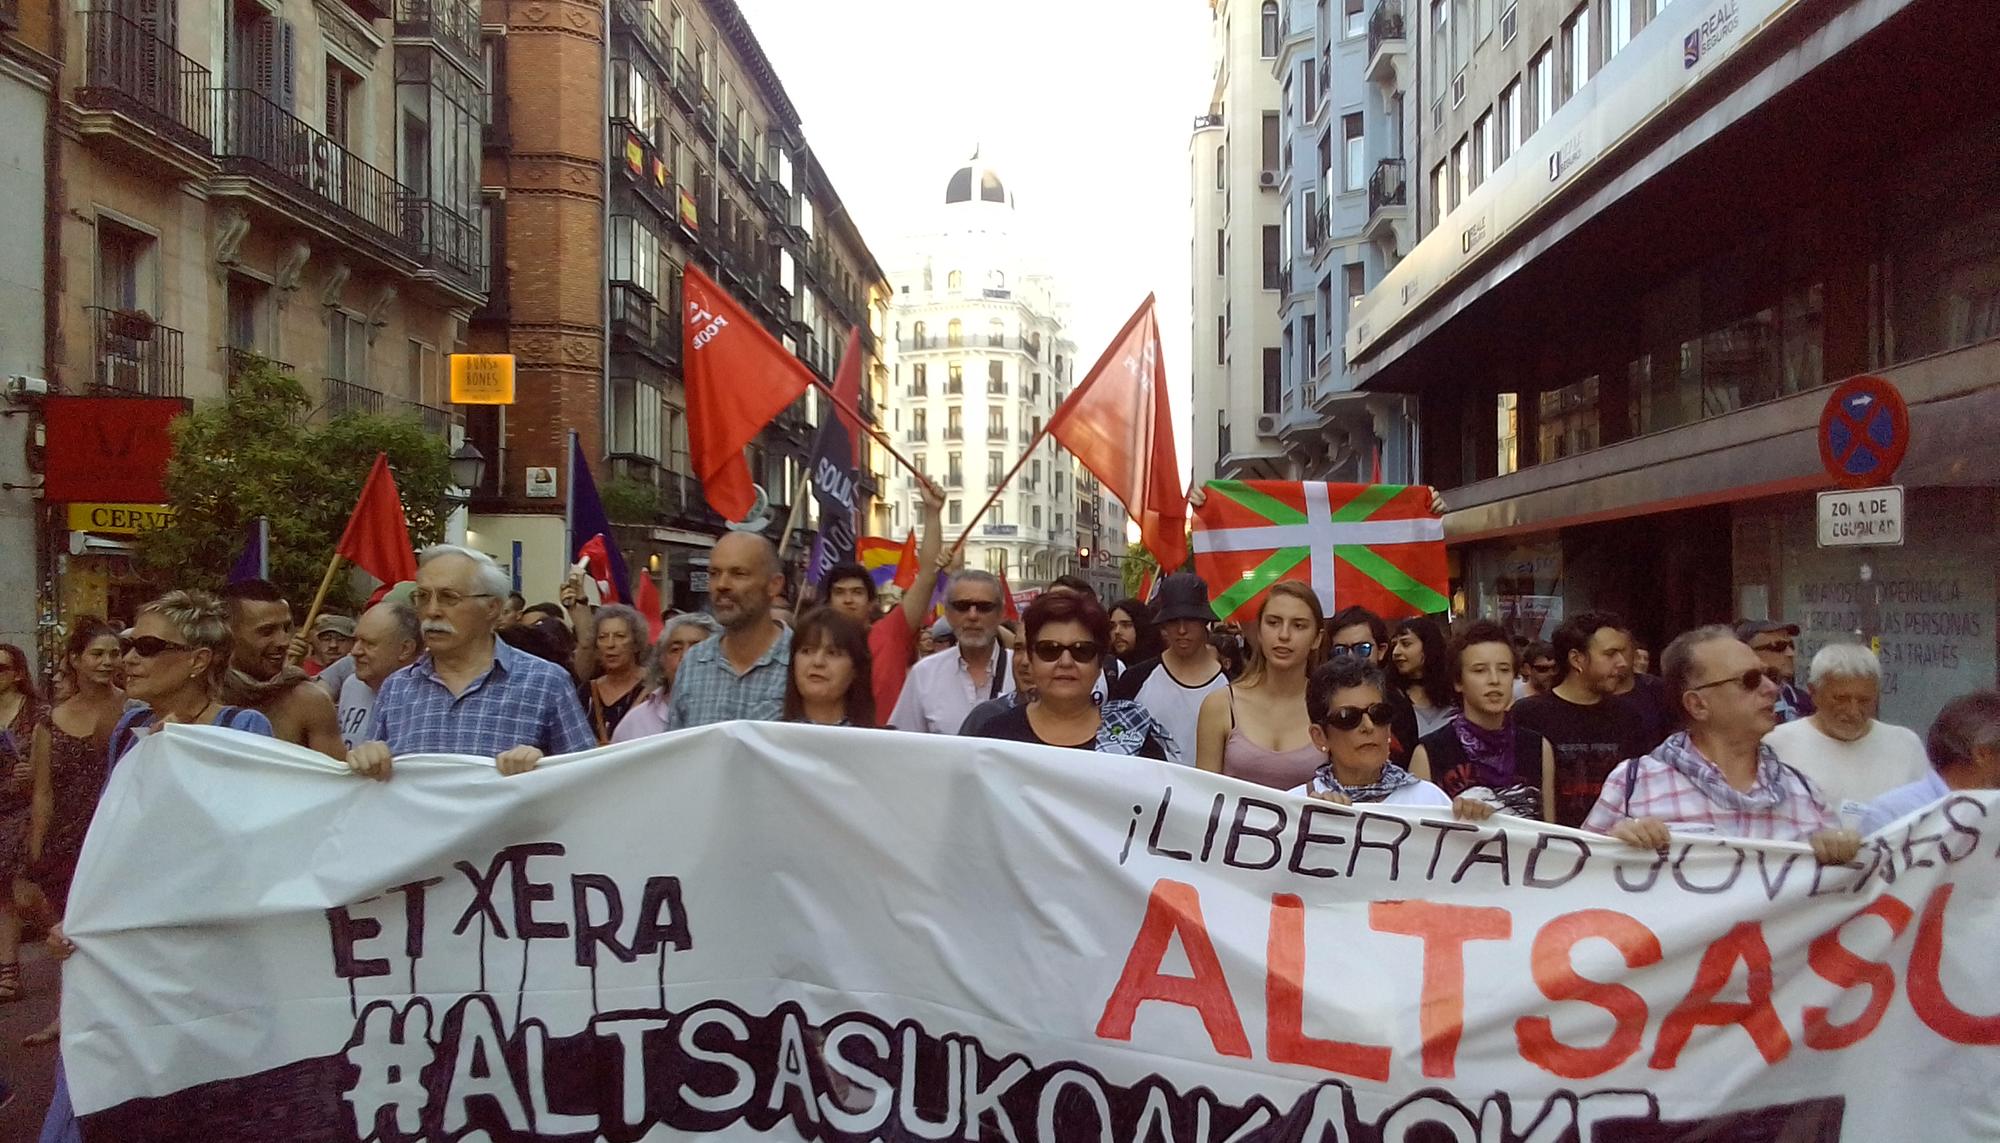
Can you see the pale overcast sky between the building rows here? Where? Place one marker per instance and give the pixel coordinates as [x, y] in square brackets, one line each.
[1083, 107]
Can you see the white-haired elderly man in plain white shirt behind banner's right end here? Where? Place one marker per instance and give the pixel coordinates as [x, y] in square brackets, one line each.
[1847, 754]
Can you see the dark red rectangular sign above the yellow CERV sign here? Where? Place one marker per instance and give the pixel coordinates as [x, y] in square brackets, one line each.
[107, 449]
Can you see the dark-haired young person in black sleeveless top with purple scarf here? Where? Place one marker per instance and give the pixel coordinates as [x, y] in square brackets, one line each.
[1481, 756]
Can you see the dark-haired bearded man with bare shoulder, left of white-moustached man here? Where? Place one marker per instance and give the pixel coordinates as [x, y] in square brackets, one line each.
[263, 680]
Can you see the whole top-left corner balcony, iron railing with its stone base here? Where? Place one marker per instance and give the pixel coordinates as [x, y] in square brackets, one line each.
[143, 97]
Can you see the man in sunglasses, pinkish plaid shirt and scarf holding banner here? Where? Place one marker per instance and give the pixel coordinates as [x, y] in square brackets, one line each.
[1719, 776]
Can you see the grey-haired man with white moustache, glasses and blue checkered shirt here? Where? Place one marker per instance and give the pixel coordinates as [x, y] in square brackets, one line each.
[471, 692]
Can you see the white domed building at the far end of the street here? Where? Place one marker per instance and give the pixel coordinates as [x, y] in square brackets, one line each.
[979, 359]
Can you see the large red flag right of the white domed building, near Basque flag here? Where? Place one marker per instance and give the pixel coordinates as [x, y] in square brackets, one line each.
[1121, 427]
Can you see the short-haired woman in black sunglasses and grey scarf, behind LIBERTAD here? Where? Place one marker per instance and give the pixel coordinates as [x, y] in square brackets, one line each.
[1351, 724]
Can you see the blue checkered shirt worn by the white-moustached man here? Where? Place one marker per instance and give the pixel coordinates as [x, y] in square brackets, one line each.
[521, 700]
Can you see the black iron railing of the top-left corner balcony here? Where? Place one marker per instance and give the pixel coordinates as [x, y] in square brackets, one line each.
[127, 69]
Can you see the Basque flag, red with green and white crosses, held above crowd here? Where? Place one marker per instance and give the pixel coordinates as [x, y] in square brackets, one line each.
[1369, 545]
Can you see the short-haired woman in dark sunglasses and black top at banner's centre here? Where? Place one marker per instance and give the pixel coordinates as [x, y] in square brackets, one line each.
[1067, 642]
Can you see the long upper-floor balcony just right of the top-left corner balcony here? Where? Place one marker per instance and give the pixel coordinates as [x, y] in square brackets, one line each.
[291, 167]
